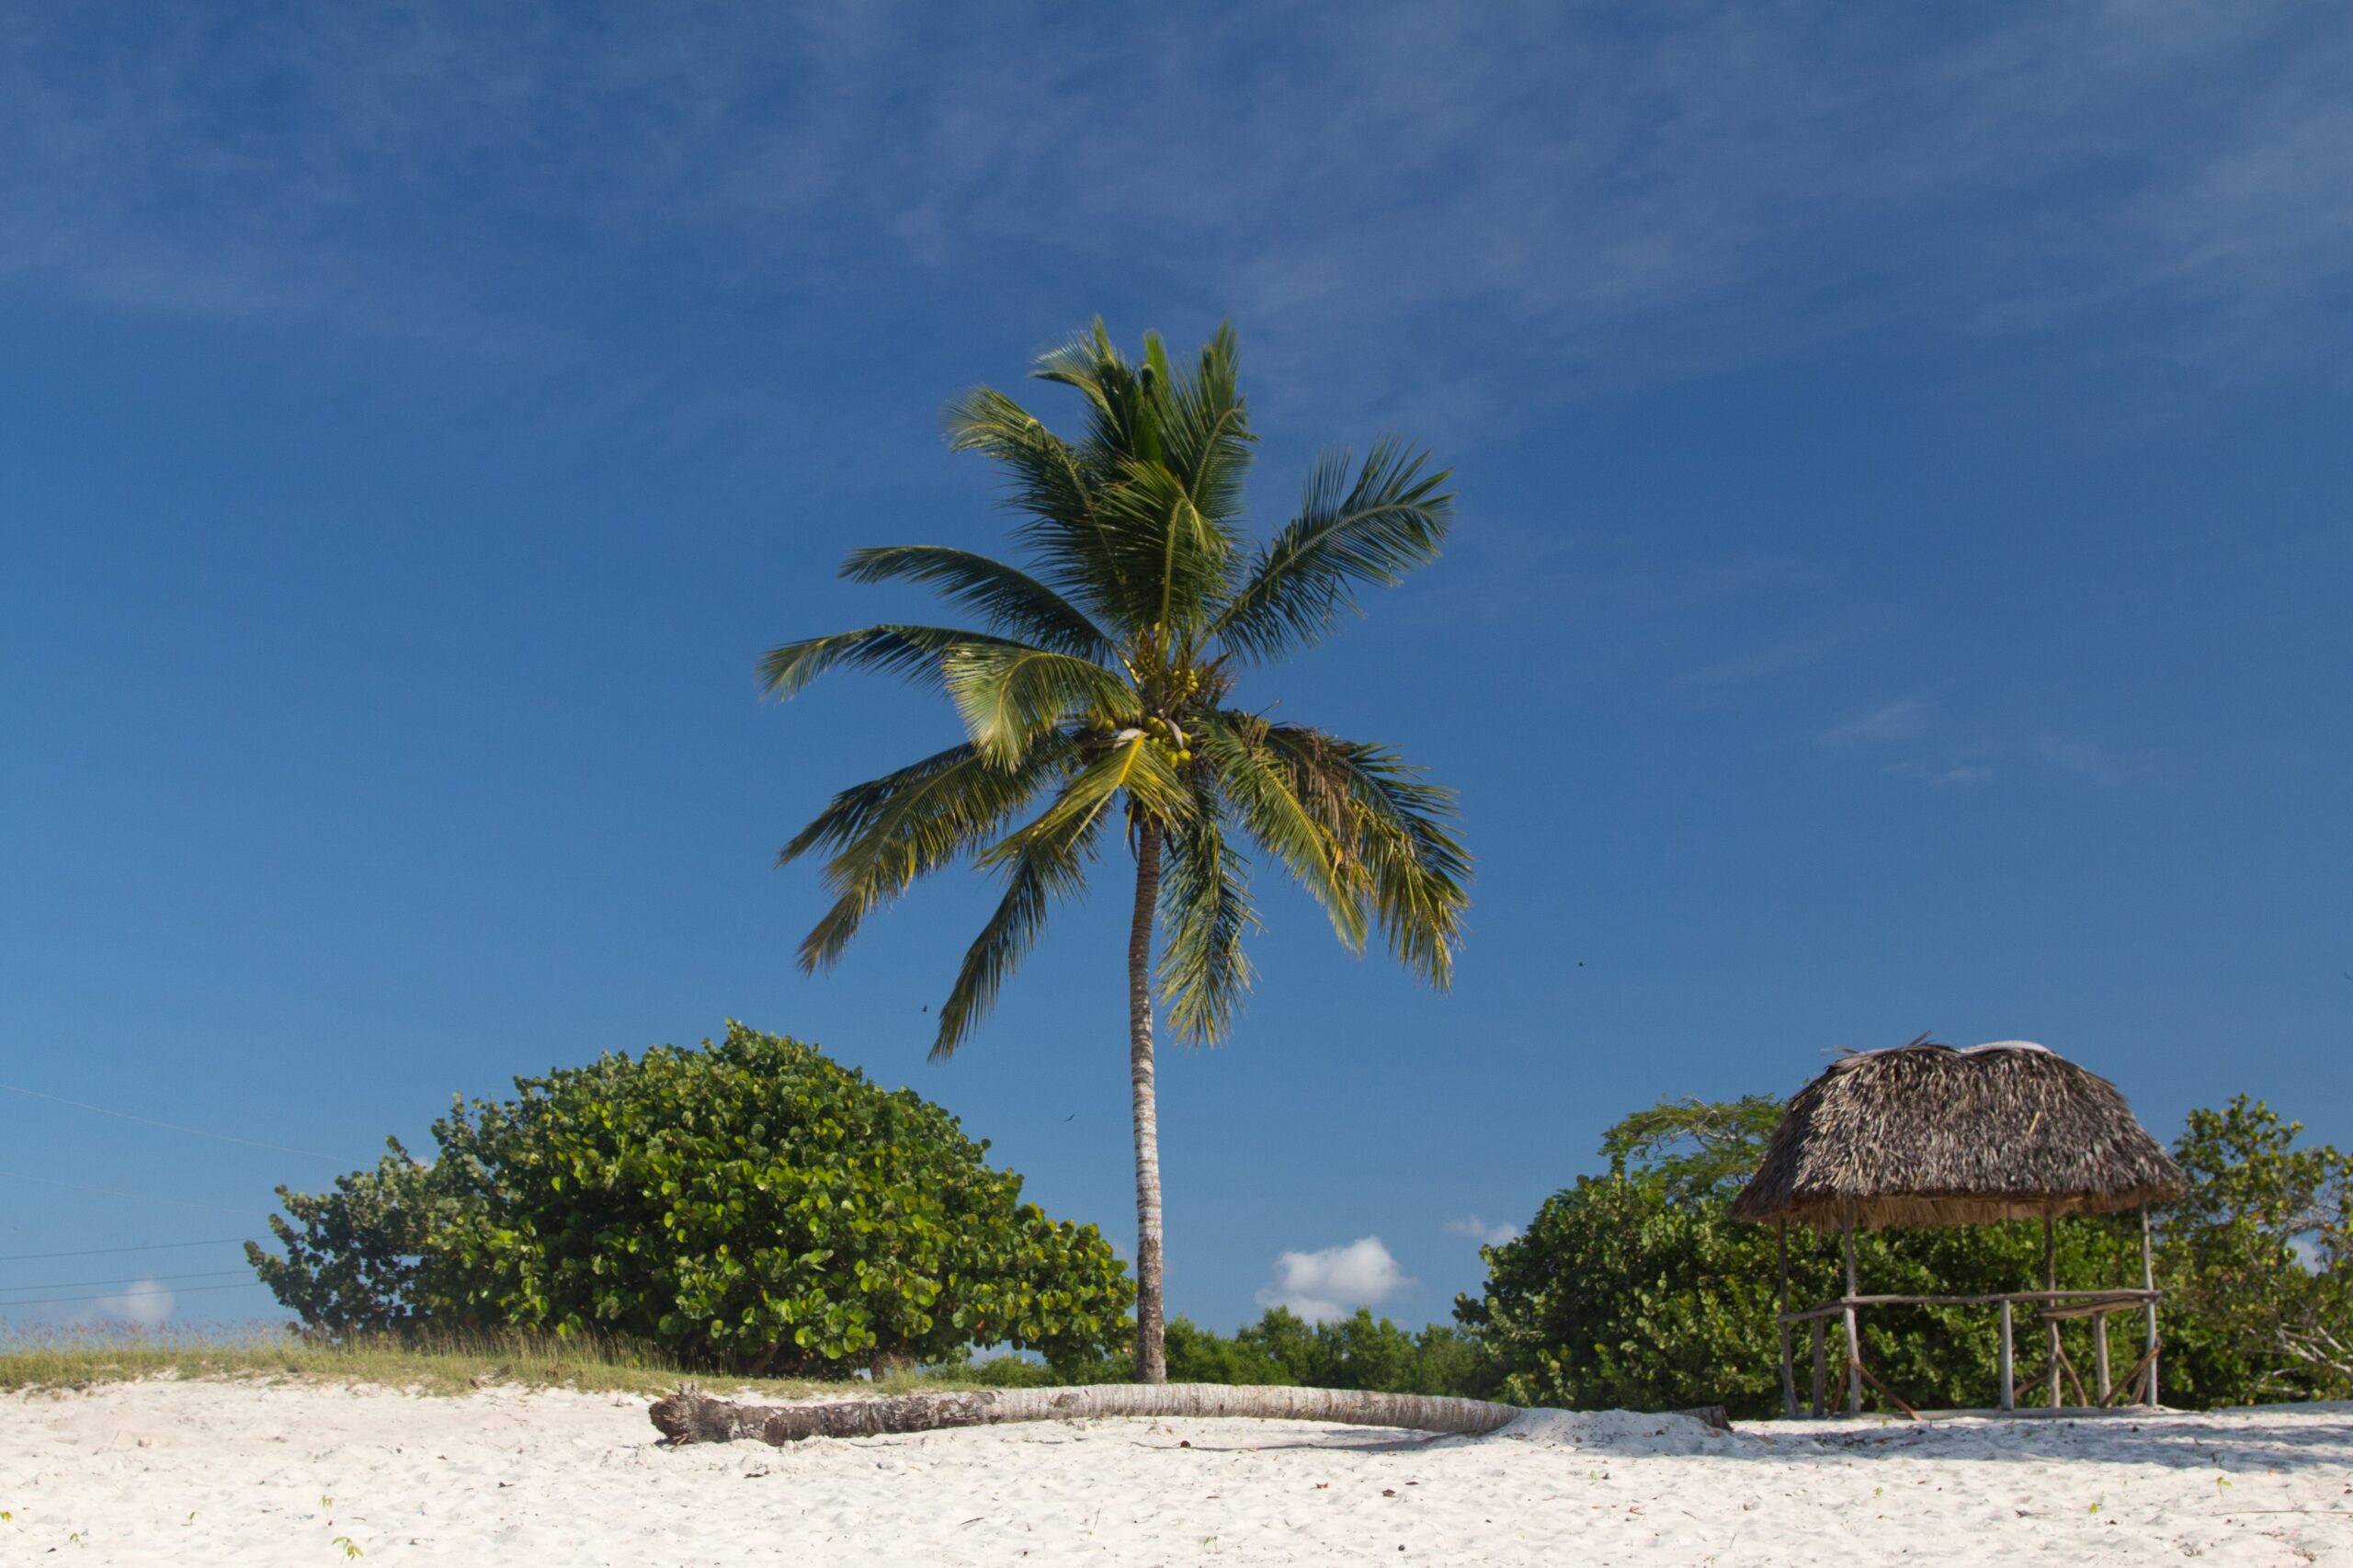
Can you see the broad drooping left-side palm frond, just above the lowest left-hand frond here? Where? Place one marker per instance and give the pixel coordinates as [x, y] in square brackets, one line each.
[909, 823]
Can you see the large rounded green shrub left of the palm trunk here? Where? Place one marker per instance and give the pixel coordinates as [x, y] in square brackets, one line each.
[745, 1207]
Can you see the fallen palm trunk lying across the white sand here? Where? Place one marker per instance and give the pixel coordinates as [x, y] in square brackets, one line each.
[693, 1416]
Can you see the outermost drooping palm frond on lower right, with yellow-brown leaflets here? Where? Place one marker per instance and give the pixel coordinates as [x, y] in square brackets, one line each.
[1401, 851]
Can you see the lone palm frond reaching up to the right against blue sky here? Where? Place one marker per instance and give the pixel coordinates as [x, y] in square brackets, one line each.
[1373, 531]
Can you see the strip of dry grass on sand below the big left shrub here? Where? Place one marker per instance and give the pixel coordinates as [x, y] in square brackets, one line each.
[79, 1360]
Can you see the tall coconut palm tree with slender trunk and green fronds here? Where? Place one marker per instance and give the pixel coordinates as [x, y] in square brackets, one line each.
[1105, 689]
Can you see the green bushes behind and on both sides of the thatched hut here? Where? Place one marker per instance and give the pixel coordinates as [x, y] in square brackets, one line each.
[1637, 1289]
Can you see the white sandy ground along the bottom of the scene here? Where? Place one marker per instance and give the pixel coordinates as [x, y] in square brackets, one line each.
[253, 1475]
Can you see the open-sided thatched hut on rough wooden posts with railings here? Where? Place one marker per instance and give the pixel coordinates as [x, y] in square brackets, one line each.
[1938, 1136]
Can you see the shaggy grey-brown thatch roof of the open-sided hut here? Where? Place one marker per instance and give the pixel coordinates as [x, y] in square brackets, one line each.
[1938, 1136]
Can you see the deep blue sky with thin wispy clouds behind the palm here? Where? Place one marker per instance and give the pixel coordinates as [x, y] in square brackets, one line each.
[1900, 573]
